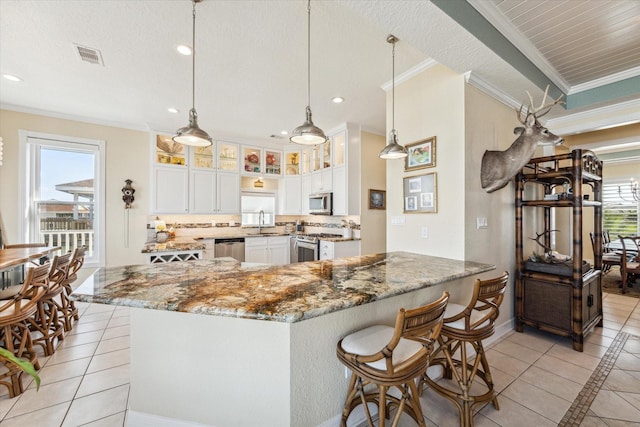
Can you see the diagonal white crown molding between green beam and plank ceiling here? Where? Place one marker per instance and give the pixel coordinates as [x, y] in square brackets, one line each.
[491, 13]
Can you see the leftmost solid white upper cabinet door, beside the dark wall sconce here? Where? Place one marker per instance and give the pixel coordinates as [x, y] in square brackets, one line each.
[171, 190]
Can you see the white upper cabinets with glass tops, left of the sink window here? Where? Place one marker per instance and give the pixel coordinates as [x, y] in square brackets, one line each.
[198, 180]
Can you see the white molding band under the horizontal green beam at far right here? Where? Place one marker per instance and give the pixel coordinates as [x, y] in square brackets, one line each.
[597, 119]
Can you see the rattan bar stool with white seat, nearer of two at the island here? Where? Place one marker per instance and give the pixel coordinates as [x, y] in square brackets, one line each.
[385, 357]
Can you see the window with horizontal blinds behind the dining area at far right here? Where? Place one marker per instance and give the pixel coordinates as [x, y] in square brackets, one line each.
[620, 211]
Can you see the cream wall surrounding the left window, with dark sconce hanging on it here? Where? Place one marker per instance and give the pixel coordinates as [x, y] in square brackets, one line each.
[127, 157]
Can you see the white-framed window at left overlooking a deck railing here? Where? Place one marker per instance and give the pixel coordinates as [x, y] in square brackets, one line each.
[62, 193]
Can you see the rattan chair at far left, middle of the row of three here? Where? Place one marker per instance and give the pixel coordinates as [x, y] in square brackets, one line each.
[46, 323]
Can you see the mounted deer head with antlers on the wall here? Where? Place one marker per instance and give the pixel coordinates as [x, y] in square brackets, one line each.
[499, 167]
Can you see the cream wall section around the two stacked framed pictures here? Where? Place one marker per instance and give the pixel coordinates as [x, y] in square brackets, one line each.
[430, 104]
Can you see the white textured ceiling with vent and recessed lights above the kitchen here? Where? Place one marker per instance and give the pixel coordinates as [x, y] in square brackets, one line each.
[251, 79]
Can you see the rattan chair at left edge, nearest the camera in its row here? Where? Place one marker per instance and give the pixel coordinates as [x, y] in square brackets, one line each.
[14, 329]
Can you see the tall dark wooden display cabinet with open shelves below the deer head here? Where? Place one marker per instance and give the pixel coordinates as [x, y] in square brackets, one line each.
[567, 303]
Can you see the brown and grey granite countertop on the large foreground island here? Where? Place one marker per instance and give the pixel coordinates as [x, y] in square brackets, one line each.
[289, 293]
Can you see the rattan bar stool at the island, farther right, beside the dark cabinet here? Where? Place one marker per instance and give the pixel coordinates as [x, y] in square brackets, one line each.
[467, 326]
